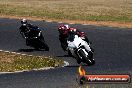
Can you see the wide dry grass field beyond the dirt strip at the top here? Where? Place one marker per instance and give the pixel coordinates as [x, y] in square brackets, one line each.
[93, 10]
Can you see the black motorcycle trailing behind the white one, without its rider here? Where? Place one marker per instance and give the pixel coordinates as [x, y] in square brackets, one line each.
[34, 38]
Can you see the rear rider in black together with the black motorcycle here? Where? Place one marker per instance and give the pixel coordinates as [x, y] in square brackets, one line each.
[33, 35]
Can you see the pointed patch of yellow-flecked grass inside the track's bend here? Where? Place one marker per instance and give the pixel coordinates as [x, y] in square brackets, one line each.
[12, 62]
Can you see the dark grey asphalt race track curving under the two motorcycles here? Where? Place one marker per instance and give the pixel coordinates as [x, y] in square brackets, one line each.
[113, 55]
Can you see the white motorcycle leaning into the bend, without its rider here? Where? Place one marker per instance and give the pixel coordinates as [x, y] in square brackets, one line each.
[80, 49]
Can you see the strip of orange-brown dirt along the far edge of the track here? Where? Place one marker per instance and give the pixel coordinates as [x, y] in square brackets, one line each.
[97, 23]
